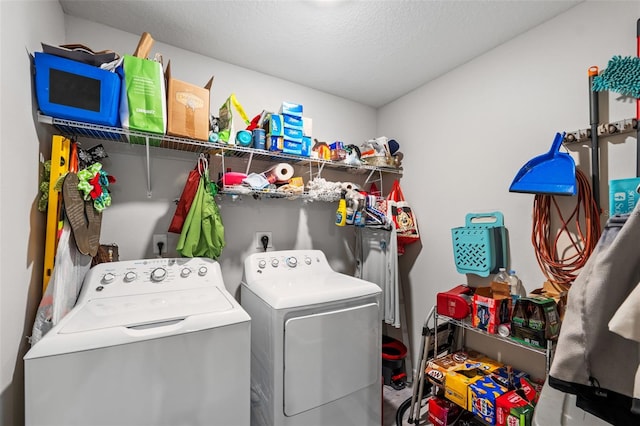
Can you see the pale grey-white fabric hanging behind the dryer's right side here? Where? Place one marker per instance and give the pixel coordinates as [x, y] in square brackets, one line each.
[377, 262]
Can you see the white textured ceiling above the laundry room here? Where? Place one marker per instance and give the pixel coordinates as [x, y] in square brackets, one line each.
[371, 52]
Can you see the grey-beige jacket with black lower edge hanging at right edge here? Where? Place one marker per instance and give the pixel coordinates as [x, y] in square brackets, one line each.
[591, 361]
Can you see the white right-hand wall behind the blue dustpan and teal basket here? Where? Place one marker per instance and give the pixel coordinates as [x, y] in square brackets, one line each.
[466, 135]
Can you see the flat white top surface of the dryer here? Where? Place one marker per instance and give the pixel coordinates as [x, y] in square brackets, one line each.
[291, 291]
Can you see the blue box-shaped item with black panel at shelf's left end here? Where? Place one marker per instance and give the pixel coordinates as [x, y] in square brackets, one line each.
[76, 91]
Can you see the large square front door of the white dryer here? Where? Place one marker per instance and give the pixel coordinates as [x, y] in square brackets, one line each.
[330, 355]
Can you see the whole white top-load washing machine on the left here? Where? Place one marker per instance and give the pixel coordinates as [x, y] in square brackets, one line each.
[149, 342]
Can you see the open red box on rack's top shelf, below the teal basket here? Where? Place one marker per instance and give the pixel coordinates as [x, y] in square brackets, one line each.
[491, 307]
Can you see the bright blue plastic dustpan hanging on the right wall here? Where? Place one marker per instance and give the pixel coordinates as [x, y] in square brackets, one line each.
[553, 173]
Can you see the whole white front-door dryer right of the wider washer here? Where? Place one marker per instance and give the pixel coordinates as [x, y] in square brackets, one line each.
[315, 342]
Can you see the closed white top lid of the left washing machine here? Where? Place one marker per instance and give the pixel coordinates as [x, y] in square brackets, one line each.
[140, 309]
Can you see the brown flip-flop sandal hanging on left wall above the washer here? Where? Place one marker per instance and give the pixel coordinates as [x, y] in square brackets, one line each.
[85, 221]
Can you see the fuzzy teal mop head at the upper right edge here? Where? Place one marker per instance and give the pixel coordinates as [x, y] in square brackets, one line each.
[622, 75]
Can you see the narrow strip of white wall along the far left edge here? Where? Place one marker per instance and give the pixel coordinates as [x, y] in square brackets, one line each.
[23, 26]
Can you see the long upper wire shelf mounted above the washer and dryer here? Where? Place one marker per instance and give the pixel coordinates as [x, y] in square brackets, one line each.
[72, 128]
